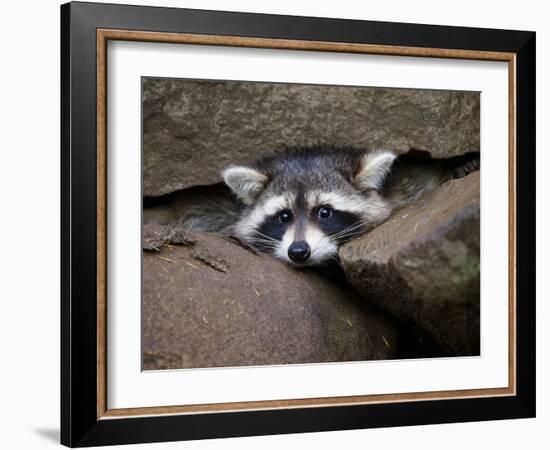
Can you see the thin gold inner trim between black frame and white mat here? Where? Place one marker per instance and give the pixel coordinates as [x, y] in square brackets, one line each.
[103, 36]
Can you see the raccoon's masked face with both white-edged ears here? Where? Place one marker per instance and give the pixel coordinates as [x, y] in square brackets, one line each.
[301, 208]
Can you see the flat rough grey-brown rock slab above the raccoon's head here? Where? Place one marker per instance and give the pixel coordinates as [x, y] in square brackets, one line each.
[192, 129]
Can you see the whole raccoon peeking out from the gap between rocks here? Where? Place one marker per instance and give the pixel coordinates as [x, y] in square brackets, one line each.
[302, 204]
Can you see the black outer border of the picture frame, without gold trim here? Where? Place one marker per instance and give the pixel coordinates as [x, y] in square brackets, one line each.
[79, 423]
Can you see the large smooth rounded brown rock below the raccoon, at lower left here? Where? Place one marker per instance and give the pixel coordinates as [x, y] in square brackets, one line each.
[211, 301]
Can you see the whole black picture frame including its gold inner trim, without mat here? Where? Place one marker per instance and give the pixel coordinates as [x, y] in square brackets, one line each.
[86, 418]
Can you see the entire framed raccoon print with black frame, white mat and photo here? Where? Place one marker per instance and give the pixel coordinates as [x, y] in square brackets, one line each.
[276, 224]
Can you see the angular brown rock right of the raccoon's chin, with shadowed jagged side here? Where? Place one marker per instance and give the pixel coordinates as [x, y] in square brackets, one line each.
[422, 265]
